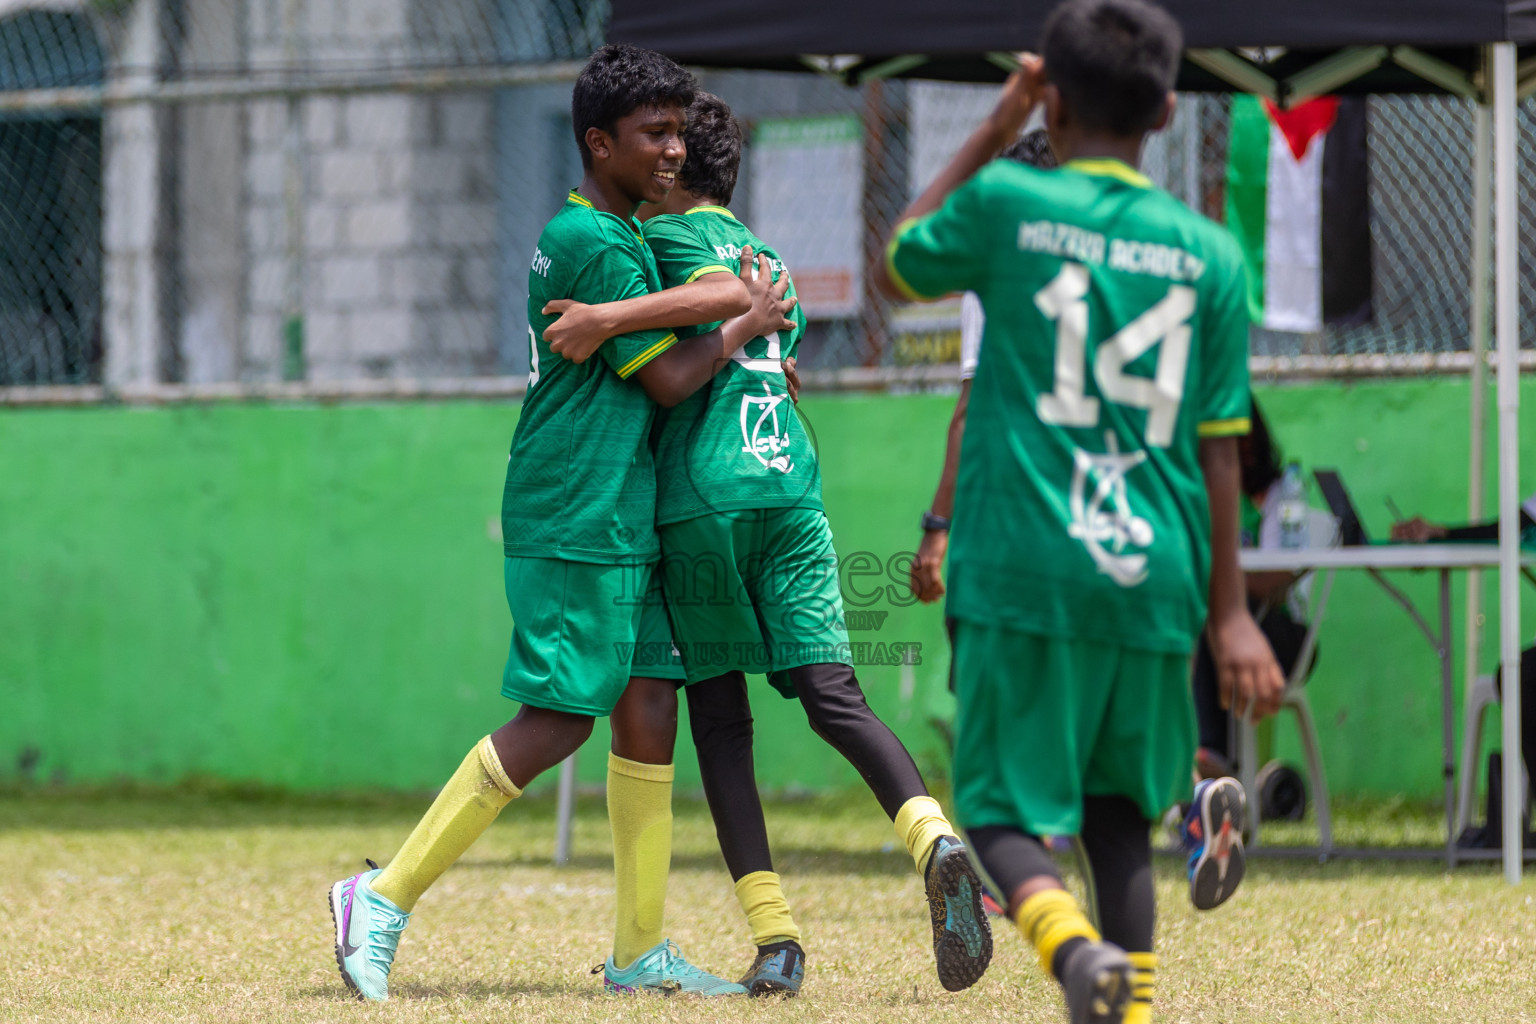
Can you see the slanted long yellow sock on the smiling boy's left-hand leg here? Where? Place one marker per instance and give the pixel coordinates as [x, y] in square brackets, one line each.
[468, 805]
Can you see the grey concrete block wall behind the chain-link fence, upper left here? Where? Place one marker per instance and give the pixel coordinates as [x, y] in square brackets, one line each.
[399, 240]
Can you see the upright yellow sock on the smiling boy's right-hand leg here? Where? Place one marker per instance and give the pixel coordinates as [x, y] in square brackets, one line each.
[640, 813]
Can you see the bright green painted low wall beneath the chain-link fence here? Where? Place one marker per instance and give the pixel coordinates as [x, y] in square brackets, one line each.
[311, 596]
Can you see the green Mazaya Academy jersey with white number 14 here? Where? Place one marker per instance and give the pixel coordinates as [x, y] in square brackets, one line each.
[1116, 340]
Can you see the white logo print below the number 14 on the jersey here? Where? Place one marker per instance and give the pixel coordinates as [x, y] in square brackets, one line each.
[1108, 532]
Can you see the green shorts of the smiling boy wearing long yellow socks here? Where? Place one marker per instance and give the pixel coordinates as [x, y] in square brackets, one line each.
[578, 627]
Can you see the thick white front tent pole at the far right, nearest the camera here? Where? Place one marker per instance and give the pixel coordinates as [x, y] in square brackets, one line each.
[1509, 398]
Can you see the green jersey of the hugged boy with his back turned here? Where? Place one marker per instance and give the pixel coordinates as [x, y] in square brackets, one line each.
[738, 443]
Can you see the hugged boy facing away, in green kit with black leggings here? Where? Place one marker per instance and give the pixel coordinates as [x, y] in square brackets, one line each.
[752, 586]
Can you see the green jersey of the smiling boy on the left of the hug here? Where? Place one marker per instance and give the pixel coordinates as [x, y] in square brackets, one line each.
[581, 483]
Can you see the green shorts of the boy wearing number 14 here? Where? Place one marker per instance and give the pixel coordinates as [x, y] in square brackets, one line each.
[1045, 722]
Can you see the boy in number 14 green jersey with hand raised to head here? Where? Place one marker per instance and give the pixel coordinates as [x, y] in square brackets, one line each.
[1096, 515]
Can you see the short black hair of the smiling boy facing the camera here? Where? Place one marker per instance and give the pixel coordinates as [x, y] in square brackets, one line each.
[621, 79]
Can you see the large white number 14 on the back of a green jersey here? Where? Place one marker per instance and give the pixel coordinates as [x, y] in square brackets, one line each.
[1167, 325]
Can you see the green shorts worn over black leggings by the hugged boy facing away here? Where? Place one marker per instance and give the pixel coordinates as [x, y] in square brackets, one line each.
[755, 592]
